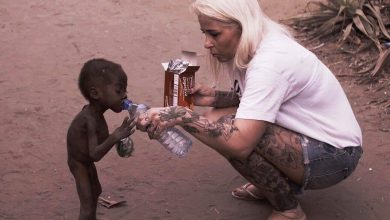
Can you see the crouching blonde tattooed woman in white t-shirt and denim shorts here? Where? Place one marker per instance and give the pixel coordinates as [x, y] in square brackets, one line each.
[285, 126]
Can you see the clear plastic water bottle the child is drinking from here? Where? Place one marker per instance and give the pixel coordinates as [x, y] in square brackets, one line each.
[172, 138]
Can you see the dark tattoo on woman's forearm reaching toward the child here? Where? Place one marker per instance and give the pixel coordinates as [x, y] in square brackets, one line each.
[223, 127]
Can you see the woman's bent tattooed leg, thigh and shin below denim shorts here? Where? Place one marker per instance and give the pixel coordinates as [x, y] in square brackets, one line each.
[276, 160]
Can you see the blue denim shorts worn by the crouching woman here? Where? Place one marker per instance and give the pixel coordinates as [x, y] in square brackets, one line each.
[326, 165]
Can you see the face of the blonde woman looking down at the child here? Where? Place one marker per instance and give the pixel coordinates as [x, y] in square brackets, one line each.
[221, 38]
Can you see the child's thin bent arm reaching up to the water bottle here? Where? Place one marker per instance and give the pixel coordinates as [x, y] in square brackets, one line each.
[96, 152]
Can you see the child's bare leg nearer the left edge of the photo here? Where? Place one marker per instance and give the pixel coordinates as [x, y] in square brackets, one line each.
[82, 176]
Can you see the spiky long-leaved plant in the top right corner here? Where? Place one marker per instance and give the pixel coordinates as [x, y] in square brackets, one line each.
[360, 23]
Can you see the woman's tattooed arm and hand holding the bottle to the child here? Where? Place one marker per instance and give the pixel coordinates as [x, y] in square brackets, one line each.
[231, 138]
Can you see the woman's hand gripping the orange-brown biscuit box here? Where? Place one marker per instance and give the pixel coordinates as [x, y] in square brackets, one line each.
[203, 95]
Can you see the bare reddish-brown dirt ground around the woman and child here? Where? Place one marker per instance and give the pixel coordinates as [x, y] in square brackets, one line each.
[43, 45]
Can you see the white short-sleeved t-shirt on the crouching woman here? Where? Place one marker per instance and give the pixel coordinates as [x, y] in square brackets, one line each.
[288, 85]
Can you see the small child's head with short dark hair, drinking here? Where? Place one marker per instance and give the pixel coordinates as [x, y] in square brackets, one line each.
[102, 80]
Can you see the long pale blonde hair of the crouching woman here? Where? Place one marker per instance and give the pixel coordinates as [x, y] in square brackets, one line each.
[247, 14]
